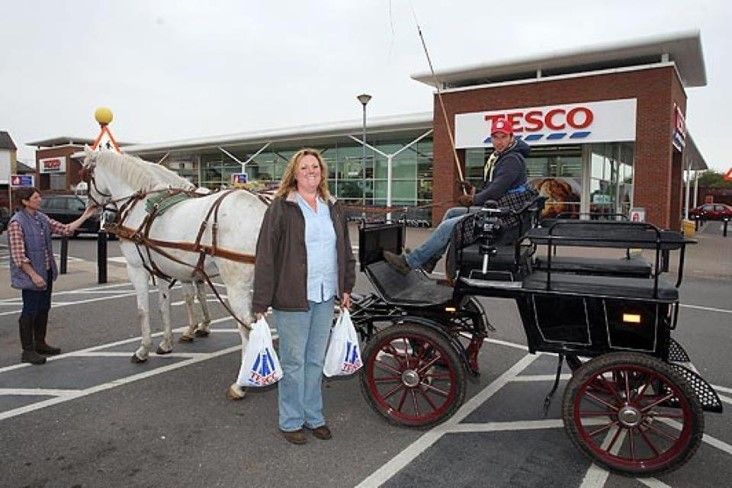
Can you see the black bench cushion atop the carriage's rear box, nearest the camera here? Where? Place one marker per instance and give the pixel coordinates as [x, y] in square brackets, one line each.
[617, 287]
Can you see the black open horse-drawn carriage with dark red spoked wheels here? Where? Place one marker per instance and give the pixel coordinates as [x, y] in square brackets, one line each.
[633, 404]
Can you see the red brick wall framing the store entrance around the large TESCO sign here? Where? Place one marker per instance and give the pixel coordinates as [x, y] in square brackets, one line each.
[655, 89]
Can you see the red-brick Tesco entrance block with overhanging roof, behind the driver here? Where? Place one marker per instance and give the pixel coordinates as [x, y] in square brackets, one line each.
[606, 126]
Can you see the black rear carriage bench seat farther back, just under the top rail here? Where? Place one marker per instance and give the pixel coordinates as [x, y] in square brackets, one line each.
[635, 266]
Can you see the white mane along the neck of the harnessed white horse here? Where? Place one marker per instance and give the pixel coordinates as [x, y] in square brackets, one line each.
[141, 174]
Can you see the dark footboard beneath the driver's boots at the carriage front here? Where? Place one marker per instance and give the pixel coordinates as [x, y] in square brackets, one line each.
[414, 289]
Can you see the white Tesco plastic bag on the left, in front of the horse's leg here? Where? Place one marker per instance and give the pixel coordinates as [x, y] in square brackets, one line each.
[259, 363]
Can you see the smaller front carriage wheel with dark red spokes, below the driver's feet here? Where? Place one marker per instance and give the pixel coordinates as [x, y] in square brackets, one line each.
[412, 376]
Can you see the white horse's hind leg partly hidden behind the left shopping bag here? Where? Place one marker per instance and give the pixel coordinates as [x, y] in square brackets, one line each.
[238, 279]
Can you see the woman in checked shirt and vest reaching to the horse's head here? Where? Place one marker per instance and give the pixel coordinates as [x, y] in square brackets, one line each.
[33, 269]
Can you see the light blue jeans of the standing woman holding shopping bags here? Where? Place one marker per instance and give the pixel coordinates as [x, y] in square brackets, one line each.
[303, 340]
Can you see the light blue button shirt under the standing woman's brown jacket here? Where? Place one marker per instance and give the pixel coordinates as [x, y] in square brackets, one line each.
[320, 245]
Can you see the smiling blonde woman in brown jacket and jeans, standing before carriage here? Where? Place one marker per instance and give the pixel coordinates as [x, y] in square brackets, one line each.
[304, 260]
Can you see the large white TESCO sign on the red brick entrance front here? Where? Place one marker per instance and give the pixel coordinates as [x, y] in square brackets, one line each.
[579, 123]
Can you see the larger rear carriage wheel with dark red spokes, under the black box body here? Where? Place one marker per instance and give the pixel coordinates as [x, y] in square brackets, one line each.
[632, 413]
